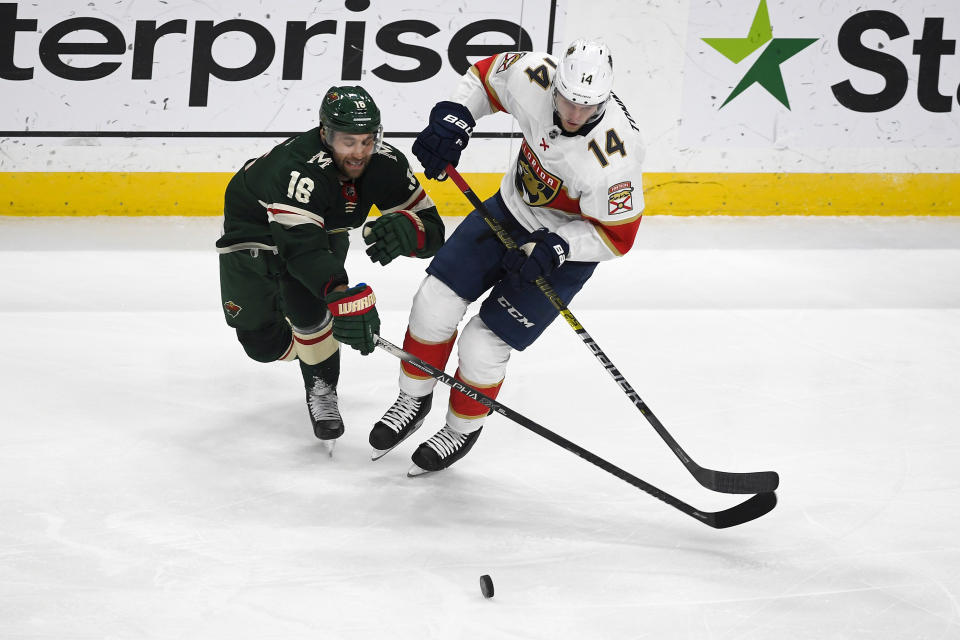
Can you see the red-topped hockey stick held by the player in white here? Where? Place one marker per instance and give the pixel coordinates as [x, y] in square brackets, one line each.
[723, 481]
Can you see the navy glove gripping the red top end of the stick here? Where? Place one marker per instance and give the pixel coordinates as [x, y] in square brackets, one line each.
[445, 137]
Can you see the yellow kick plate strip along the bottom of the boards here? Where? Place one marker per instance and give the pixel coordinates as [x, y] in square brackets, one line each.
[681, 194]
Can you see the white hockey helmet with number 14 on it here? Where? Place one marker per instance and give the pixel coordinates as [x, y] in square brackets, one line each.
[585, 73]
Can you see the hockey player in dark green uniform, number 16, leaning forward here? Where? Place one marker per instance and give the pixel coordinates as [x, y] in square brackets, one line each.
[287, 215]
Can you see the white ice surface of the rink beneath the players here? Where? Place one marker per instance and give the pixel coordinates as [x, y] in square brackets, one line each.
[155, 483]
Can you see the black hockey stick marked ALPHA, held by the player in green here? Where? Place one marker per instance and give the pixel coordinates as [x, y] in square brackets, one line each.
[751, 509]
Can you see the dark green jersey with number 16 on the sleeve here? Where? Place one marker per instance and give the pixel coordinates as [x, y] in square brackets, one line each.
[294, 201]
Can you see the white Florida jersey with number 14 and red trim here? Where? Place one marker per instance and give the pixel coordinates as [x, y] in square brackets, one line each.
[586, 187]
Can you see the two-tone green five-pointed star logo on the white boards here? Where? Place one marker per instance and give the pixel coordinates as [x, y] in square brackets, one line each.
[766, 70]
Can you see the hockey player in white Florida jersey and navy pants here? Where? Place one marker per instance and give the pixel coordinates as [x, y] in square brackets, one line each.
[573, 199]
